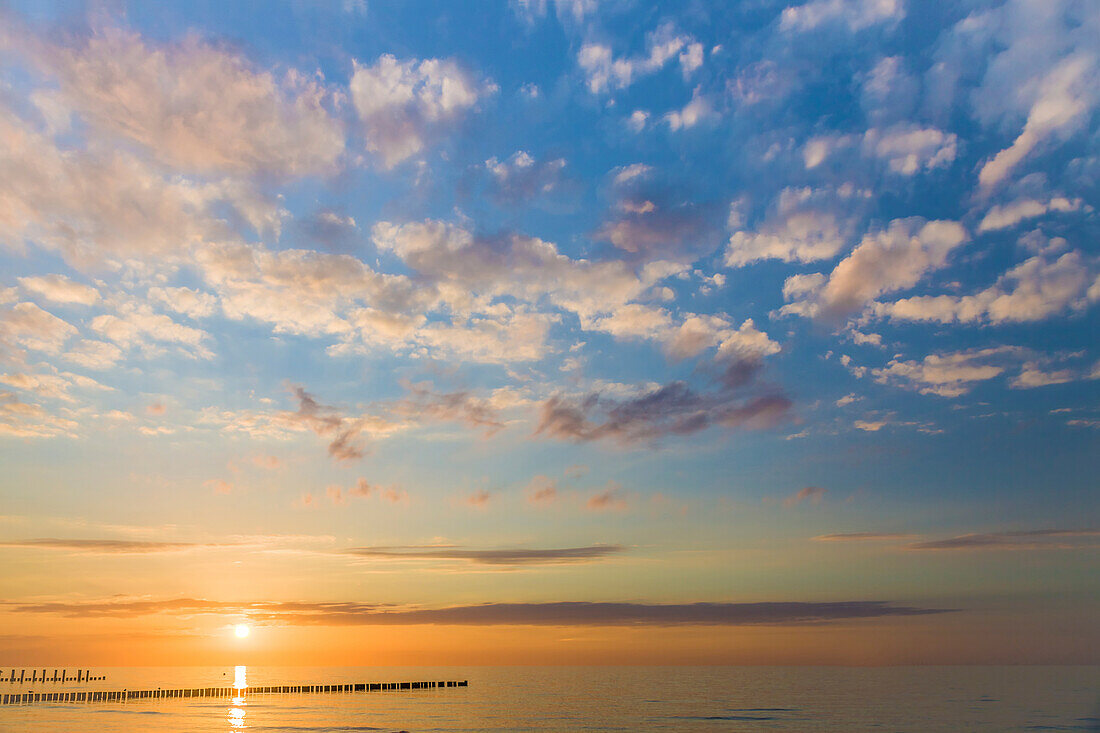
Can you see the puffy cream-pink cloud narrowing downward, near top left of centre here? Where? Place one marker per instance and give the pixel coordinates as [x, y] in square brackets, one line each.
[403, 104]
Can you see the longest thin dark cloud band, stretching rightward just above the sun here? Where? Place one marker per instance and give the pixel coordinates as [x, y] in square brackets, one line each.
[567, 614]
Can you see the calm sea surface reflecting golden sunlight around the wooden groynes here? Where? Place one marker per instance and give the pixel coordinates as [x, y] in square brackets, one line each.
[591, 699]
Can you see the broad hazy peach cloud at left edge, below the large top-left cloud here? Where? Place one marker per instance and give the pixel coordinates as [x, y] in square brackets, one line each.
[100, 203]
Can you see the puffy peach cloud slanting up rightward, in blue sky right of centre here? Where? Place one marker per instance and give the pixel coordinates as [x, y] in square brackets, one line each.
[884, 262]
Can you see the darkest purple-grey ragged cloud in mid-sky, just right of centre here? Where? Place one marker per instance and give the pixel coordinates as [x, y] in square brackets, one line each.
[674, 409]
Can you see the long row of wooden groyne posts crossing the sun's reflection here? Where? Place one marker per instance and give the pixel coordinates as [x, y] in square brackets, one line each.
[125, 696]
